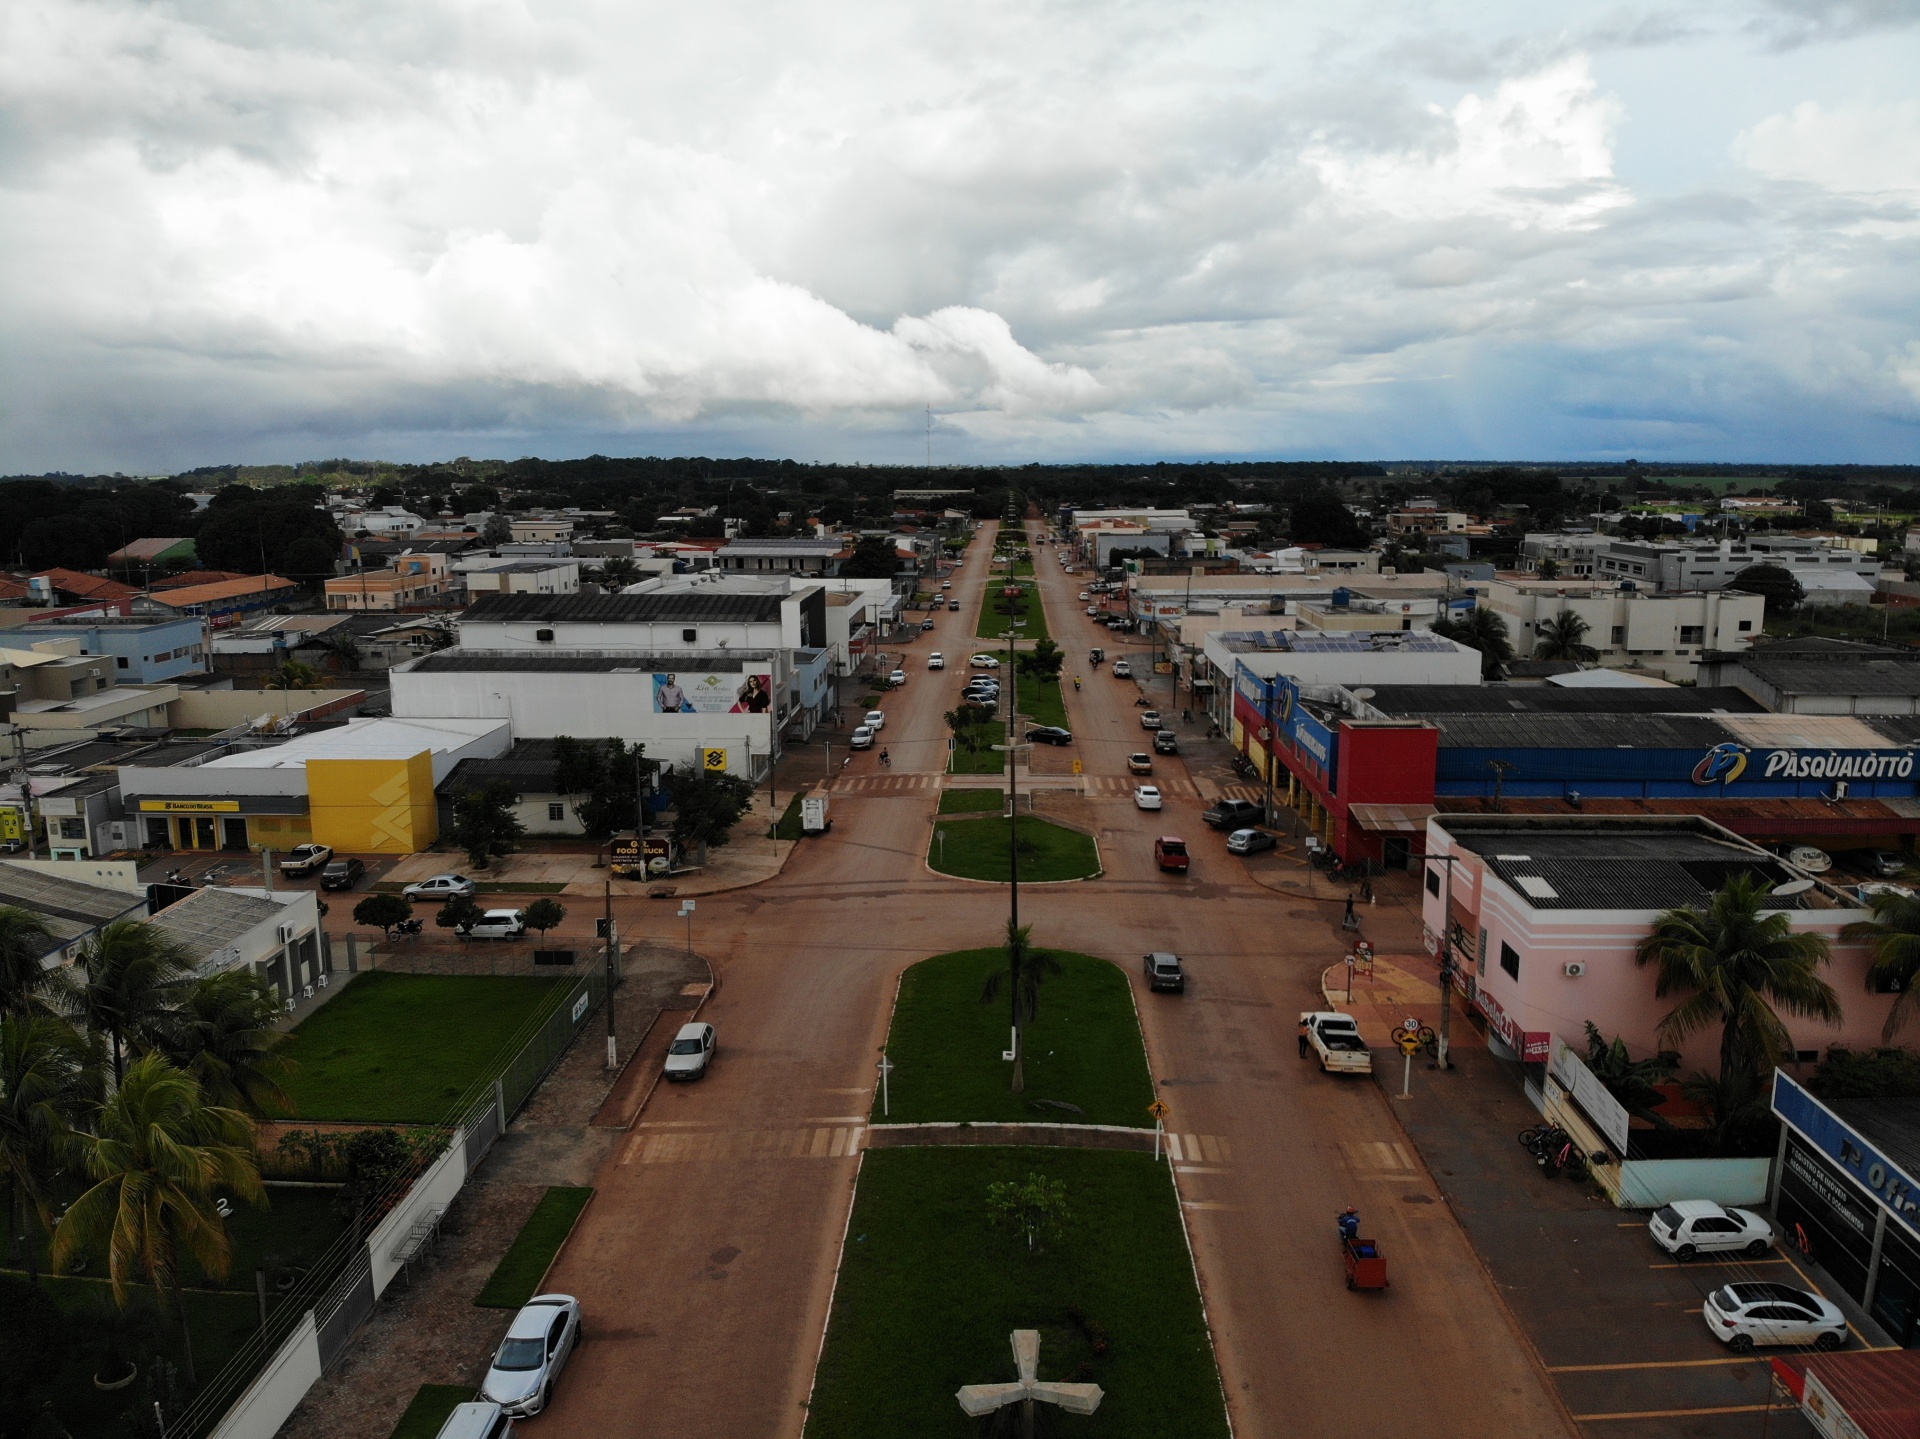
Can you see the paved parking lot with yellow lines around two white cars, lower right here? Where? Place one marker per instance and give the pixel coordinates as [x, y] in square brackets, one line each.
[1616, 1323]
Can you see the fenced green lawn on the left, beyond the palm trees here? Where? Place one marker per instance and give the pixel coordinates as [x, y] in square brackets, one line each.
[402, 1048]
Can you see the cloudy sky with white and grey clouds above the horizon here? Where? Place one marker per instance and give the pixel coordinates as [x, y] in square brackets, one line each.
[1068, 228]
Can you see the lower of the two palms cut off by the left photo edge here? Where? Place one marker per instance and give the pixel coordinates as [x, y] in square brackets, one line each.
[43, 1094]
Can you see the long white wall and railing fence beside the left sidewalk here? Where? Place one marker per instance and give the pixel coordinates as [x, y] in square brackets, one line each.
[312, 1329]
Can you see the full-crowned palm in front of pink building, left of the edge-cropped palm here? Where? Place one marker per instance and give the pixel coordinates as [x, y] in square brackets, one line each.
[1739, 963]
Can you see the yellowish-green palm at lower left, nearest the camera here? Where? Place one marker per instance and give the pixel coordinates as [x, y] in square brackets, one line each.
[158, 1156]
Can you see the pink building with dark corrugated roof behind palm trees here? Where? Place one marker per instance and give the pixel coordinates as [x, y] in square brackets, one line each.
[1545, 914]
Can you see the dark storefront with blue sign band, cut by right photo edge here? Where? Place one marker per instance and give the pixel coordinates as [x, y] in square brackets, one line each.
[1844, 1188]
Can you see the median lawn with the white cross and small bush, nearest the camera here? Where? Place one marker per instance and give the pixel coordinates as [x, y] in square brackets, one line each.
[930, 1290]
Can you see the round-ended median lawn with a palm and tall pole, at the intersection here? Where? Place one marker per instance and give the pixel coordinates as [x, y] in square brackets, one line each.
[1084, 1046]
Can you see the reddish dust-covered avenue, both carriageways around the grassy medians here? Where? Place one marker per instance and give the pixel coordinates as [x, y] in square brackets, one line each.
[708, 1259]
